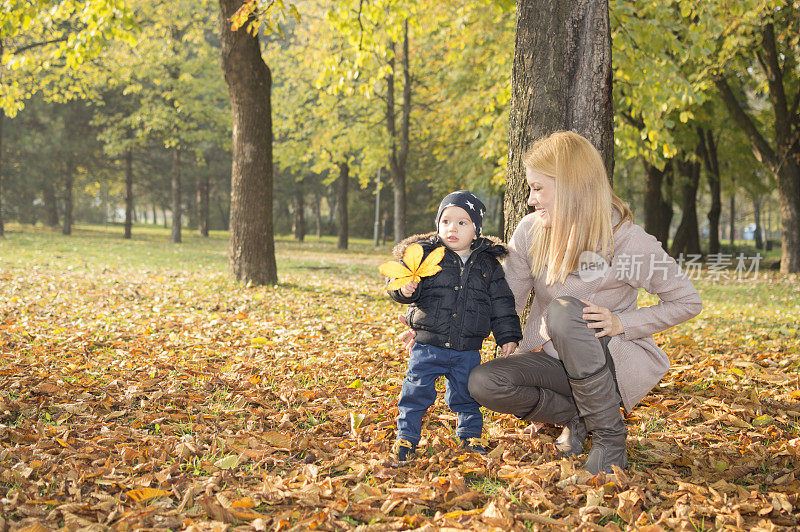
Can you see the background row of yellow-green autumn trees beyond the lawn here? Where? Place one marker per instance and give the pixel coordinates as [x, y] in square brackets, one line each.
[119, 112]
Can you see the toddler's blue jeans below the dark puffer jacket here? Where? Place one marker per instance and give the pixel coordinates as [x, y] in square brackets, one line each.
[426, 364]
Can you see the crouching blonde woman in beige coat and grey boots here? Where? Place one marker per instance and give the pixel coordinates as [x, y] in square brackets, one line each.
[587, 347]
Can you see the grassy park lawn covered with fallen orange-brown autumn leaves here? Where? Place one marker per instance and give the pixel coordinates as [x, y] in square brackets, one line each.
[141, 388]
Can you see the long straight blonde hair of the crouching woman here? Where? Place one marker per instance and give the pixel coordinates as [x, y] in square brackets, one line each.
[583, 205]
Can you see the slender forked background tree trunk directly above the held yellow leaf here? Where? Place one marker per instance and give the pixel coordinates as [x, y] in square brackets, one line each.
[398, 155]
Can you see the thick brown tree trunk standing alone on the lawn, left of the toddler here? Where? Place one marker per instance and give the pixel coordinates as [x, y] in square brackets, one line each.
[252, 245]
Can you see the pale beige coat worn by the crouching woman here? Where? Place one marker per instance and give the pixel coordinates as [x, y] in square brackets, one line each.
[638, 261]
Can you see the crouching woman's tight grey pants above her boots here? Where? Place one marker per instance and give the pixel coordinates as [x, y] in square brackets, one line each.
[511, 384]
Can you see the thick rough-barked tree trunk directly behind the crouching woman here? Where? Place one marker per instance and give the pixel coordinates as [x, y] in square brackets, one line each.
[561, 80]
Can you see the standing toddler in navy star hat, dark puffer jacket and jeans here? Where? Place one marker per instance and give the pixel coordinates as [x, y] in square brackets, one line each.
[452, 312]
